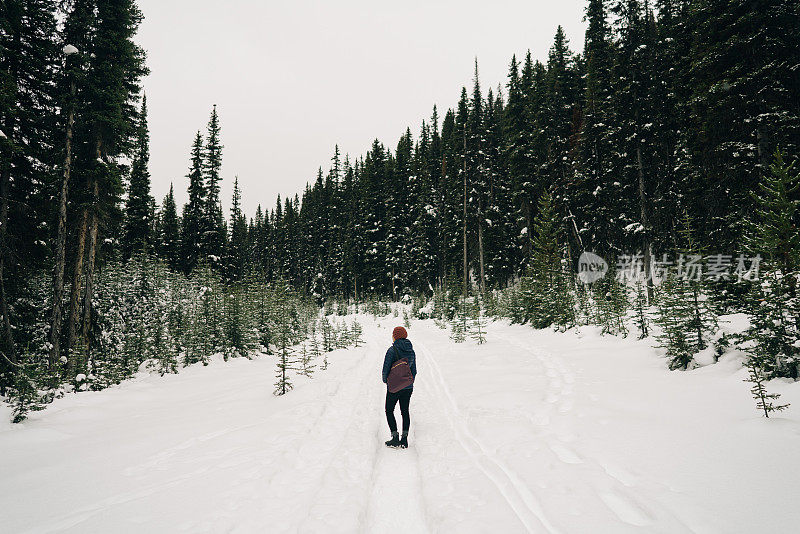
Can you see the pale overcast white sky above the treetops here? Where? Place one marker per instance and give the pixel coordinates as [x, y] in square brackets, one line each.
[291, 78]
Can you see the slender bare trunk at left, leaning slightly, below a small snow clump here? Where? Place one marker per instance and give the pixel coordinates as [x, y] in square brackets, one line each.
[61, 241]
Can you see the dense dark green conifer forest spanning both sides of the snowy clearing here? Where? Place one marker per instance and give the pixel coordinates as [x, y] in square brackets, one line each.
[673, 133]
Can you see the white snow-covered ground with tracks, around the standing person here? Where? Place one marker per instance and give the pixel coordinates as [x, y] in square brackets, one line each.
[534, 431]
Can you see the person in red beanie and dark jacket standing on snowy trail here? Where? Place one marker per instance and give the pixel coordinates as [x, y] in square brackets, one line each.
[399, 369]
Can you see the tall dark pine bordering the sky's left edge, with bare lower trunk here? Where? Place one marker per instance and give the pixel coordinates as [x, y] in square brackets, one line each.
[108, 126]
